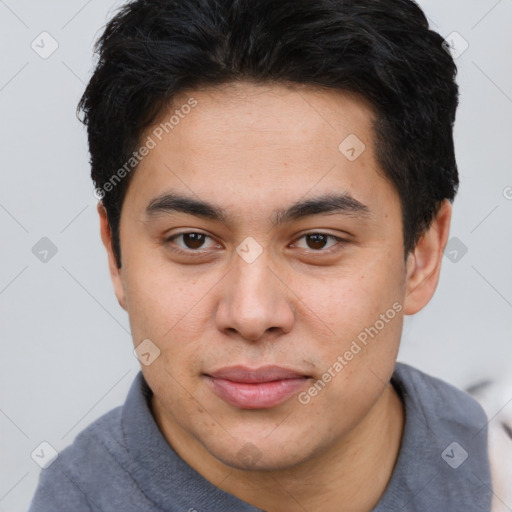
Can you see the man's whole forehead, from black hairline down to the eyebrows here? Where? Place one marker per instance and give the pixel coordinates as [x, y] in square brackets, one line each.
[252, 145]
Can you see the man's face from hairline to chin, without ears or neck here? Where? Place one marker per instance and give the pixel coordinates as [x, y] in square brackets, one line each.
[257, 288]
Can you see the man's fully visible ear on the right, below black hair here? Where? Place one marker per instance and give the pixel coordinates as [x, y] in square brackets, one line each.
[424, 262]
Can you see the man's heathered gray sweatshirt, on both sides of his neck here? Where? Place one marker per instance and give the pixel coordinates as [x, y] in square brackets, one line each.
[122, 462]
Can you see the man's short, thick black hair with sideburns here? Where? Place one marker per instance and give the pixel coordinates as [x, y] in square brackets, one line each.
[152, 50]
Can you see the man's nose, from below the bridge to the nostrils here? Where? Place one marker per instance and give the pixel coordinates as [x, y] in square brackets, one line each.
[255, 301]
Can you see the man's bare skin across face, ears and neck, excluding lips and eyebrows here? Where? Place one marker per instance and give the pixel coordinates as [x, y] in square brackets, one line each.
[252, 149]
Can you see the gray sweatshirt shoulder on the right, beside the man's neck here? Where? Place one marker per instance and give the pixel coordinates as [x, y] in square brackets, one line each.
[444, 444]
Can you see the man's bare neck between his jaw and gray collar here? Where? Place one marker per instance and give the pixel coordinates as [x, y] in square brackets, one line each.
[351, 475]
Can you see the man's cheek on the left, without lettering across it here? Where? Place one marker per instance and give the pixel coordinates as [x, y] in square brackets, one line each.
[167, 309]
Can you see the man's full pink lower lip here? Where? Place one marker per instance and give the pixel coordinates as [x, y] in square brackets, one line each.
[260, 395]
